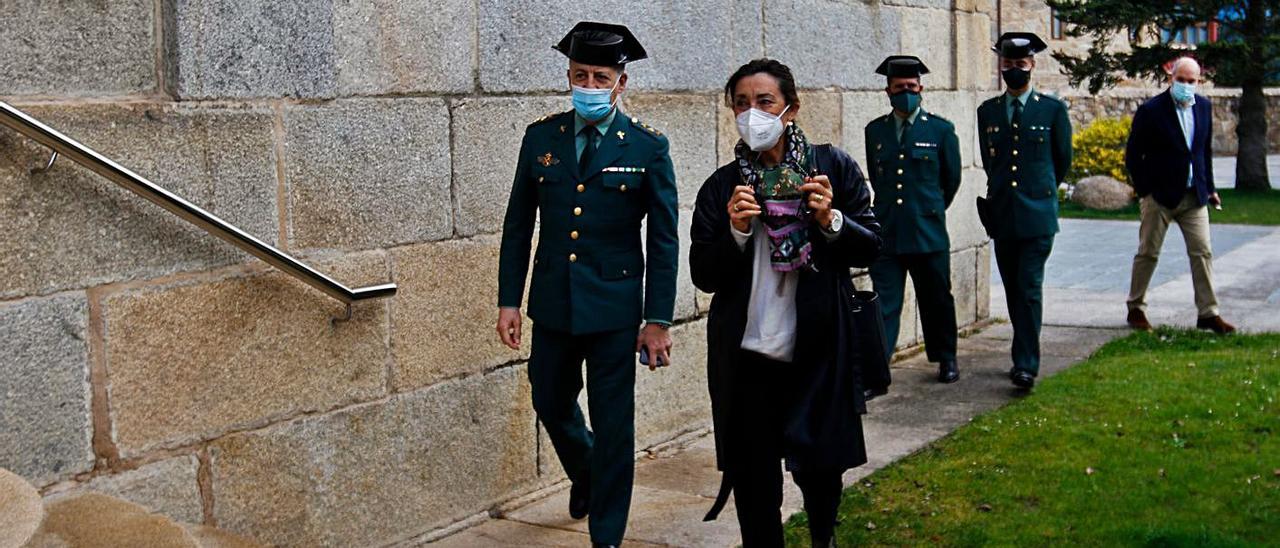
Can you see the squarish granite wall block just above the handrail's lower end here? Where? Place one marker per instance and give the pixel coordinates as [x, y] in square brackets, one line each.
[368, 173]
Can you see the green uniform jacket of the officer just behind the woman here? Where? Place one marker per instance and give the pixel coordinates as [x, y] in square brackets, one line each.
[915, 182]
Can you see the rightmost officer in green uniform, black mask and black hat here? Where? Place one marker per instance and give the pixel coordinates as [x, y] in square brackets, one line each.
[1026, 140]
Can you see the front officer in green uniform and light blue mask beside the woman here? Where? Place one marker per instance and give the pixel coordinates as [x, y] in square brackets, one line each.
[592, 175]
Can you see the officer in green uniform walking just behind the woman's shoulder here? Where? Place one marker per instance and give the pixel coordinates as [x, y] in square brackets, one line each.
[913, 158]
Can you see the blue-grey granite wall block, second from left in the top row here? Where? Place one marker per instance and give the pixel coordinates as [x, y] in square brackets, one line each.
[255, 49]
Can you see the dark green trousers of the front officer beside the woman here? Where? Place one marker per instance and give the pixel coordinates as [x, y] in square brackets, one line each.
[607, 456]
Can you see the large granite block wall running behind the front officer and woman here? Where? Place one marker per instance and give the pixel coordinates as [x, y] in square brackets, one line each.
[376, 140]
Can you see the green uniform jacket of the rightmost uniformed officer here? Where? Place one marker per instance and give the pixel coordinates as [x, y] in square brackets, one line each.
[1025, 165]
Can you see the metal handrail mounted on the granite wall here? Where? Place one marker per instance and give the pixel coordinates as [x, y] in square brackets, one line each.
[189, 212]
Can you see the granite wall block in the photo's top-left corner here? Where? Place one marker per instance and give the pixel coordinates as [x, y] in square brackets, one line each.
[83, 49]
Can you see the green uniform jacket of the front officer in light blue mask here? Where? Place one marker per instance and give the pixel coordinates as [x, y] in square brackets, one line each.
[589, 270]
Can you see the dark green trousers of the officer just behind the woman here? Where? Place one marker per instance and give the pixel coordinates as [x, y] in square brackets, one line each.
[931, 275]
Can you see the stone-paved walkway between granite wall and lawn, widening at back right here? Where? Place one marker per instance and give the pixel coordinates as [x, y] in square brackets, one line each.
[1085, 293]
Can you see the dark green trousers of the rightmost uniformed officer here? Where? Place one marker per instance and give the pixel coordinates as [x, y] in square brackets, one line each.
[1022, 270]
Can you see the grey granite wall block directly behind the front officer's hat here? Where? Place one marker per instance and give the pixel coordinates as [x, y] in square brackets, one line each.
[687, 43]
